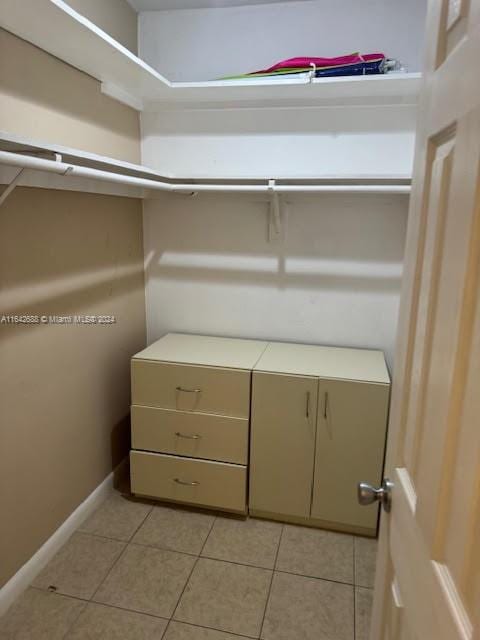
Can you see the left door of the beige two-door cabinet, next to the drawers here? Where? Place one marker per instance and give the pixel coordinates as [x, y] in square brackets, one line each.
[282, 443]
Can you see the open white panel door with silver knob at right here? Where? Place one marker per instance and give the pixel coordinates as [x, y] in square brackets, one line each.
[428, 576]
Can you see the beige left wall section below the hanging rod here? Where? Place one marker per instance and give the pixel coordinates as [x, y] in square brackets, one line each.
[64, 389]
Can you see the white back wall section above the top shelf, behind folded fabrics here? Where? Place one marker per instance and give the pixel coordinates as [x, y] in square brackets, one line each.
[203, 44]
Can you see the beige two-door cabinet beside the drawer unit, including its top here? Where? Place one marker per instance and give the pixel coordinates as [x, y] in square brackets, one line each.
[319, 420]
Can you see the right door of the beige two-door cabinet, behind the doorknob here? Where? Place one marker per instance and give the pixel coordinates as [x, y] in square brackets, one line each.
[351, 432]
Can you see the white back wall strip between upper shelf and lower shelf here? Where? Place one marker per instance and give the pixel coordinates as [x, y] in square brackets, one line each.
[301, 143]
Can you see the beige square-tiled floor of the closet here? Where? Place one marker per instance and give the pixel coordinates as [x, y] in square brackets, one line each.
[142, 571]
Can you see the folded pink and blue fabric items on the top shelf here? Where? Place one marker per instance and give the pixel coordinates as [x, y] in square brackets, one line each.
[349, 65]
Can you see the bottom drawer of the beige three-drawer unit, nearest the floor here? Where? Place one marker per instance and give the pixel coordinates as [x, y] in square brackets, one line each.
[210, 484]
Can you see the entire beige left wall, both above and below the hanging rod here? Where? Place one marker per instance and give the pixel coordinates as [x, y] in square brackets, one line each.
[64, 389]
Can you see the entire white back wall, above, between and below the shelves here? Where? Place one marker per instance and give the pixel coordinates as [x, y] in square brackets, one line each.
[209, 267]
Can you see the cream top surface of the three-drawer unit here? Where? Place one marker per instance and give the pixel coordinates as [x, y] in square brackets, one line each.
[209, 351]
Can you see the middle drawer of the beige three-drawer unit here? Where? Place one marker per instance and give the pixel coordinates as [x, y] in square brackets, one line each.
[197, 435]
